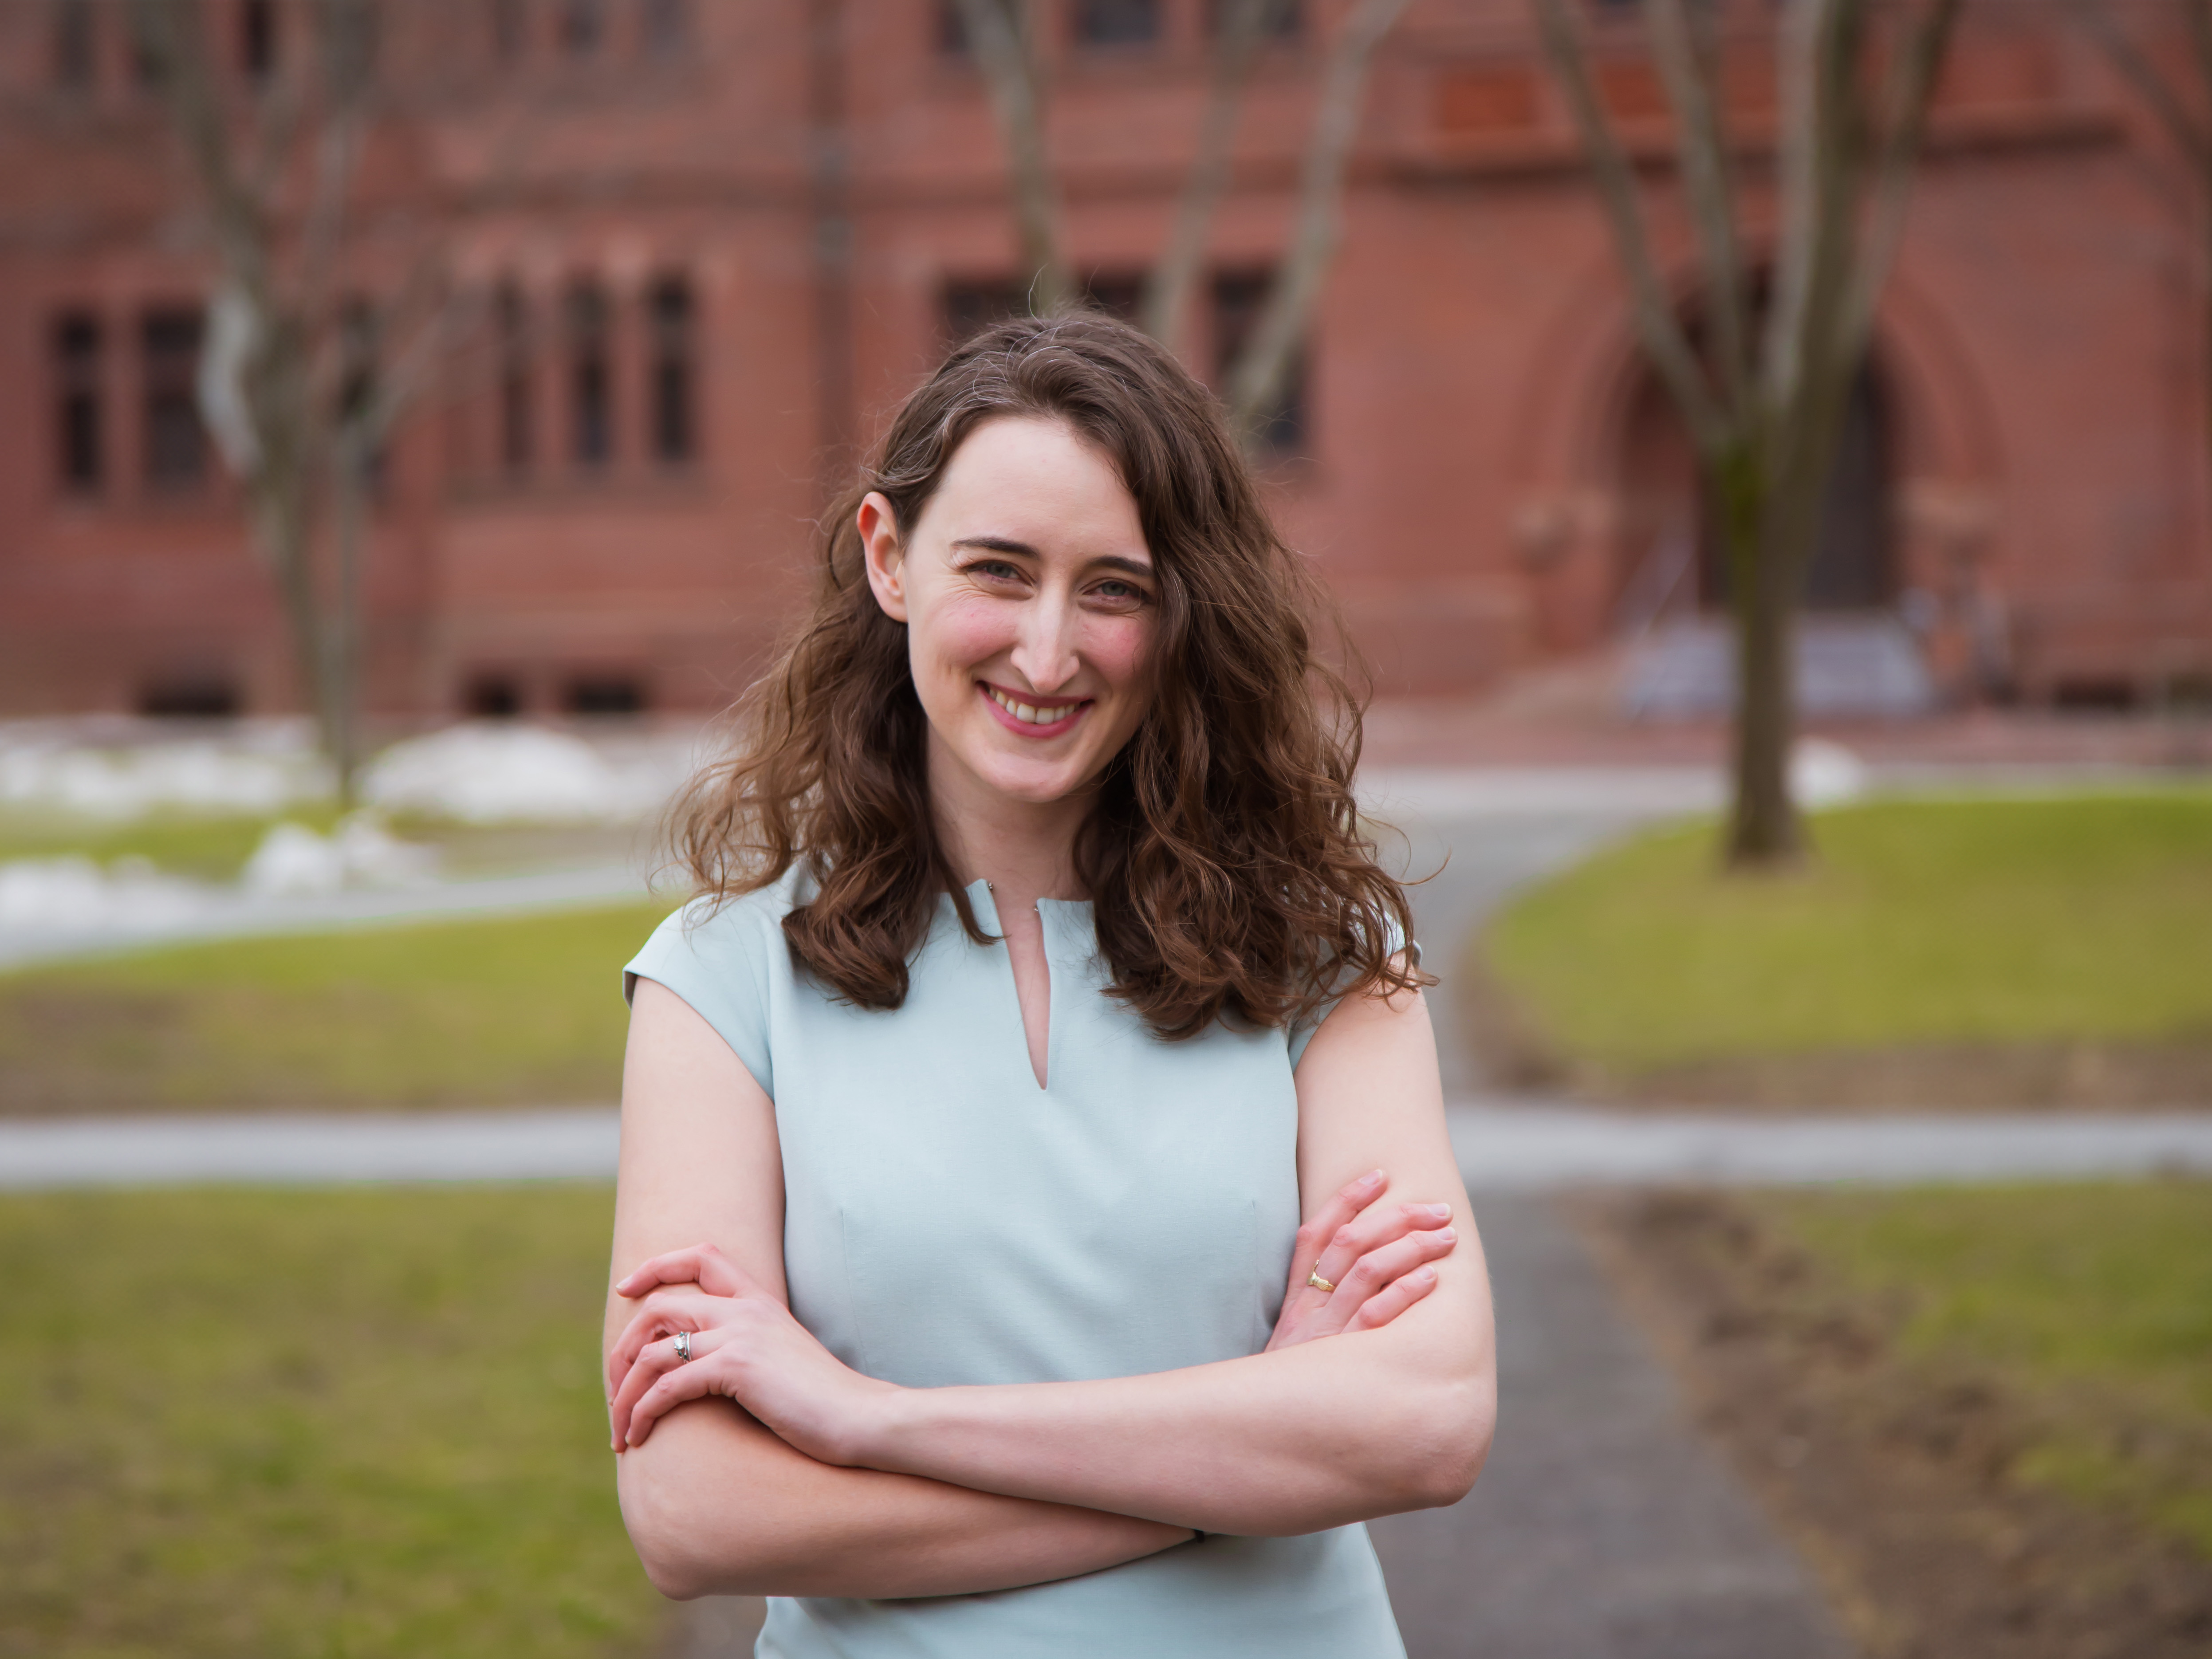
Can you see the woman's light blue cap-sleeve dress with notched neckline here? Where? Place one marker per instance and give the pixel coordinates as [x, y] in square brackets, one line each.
[950, 1222]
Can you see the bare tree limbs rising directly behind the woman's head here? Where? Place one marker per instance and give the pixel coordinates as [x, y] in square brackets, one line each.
[1264, 364]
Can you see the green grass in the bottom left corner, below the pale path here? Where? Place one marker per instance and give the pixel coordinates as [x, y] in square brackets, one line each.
[311, 1423]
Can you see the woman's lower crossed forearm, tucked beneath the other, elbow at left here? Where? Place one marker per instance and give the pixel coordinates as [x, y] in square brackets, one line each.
[718, 1505]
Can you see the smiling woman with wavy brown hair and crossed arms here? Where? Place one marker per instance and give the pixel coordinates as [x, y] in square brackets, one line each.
[1039, 1012]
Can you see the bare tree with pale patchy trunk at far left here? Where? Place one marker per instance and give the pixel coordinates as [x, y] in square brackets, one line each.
[302, 379]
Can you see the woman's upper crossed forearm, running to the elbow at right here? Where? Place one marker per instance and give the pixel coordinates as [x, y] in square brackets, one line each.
[1269, 1446]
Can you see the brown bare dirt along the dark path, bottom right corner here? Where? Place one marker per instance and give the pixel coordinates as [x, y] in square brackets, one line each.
[1895, 1477]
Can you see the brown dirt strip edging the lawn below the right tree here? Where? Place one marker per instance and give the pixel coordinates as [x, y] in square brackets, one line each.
[1519, 1056]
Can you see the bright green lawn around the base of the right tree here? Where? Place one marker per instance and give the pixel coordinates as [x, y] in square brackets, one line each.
[1919, 924]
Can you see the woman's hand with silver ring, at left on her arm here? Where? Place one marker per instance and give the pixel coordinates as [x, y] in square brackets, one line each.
[744, 1346]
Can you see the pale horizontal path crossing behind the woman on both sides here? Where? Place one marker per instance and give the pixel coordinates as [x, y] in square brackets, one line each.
[1503, 1149]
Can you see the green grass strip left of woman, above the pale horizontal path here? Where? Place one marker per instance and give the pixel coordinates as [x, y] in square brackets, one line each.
[474, 1014]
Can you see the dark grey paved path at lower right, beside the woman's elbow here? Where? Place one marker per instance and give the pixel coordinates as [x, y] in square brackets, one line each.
[1603, 1525]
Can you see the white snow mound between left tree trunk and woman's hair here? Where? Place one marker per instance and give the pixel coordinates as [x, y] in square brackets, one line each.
[486, 773]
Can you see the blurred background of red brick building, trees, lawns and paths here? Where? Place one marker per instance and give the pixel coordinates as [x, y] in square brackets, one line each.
[1762, 452]
